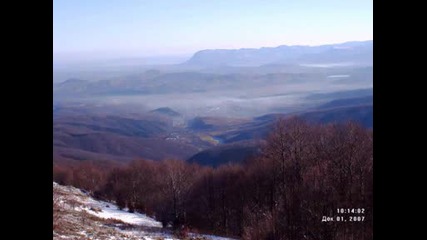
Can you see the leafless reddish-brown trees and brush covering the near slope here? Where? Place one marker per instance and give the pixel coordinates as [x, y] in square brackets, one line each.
[305, 172]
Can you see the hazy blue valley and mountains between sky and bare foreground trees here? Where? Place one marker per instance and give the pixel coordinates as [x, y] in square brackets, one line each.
[215, 101]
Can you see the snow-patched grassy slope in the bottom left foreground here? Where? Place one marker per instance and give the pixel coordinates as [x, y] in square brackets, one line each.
[79, 215]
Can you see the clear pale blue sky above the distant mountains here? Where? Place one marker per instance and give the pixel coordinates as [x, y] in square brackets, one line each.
[147, 28]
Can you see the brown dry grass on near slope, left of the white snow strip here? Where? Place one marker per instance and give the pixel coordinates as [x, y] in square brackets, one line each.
[74, 220]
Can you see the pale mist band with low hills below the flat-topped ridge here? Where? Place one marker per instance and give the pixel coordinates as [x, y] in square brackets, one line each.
[234, 95]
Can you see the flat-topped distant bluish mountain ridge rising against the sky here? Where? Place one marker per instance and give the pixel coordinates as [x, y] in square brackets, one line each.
[357, 53]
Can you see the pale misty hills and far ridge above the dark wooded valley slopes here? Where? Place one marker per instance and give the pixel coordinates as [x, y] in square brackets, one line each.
[224, 83]
